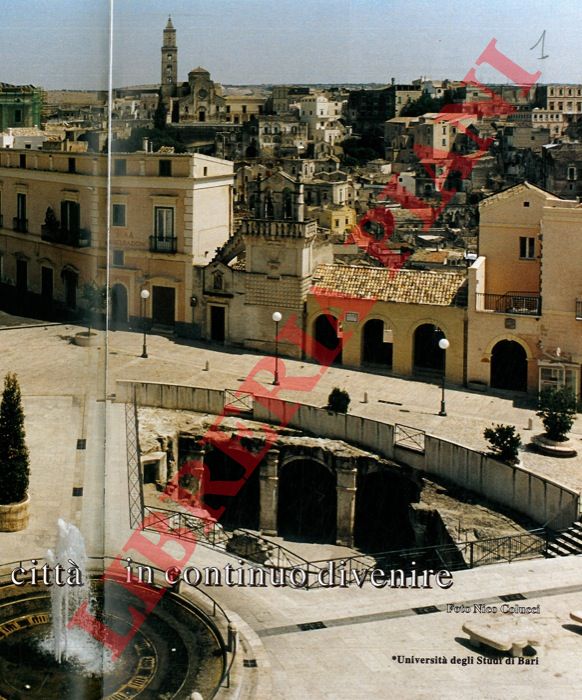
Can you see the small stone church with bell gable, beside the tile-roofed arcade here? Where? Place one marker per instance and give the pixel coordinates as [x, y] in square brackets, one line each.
[265, 267]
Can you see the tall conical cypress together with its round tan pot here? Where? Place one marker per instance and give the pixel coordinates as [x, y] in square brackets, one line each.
[14, 466]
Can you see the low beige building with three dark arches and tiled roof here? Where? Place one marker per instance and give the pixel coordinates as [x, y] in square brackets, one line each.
[388, 320]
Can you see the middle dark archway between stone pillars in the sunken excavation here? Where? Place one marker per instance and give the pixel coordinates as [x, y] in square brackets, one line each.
[307, 500]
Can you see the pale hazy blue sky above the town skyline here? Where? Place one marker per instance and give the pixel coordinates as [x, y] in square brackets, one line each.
[63, 43]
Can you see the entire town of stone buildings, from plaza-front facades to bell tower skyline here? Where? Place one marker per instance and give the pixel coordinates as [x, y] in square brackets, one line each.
[233, 202]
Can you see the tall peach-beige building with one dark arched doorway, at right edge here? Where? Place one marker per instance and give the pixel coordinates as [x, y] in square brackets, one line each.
[525, 292]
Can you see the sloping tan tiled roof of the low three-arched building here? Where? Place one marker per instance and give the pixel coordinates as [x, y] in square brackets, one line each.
[403, 286]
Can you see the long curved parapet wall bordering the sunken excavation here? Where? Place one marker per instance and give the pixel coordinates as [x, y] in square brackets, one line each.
[545, 501]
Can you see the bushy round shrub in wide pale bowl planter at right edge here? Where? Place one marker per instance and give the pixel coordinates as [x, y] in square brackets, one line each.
[557, 409]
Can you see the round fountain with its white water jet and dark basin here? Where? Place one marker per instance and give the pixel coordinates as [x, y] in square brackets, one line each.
[175, 652]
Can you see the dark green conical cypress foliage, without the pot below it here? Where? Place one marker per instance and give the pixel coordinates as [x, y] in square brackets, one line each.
[14, 471]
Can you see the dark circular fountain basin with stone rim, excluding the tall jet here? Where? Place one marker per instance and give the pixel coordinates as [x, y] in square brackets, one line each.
[176, 651]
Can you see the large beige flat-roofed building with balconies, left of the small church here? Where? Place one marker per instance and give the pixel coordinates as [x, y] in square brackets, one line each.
[167, 213]
